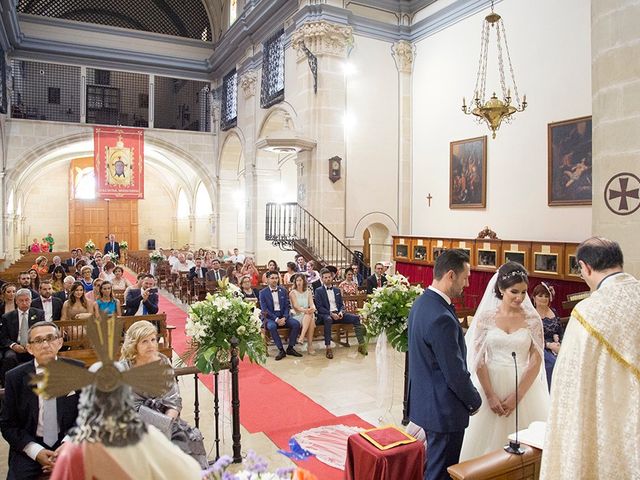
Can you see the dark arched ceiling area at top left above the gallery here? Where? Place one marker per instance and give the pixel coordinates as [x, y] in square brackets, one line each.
[180, 18]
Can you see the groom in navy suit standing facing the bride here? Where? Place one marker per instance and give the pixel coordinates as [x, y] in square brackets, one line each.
[441, 395]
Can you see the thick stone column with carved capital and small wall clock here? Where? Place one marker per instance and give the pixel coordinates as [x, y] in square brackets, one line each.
[322, 117]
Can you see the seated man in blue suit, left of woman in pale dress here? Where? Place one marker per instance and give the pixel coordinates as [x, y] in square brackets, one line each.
[274, 303]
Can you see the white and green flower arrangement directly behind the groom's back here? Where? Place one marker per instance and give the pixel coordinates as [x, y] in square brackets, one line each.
[387, 310]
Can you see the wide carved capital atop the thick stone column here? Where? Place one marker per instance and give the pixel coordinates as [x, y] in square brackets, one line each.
[322, 38]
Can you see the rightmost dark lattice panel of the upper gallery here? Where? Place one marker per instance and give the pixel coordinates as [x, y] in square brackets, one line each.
[181, 104]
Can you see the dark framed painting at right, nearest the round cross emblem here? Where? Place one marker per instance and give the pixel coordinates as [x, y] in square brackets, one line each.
[570, 162]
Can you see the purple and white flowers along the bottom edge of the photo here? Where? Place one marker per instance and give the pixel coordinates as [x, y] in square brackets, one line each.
[256, 469]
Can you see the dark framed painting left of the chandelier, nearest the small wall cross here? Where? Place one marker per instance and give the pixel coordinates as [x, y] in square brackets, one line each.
[468, 173]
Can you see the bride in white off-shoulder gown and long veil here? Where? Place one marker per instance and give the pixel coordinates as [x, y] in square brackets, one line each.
[505, 323]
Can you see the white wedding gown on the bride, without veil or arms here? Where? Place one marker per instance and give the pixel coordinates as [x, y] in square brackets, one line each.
[487, 431]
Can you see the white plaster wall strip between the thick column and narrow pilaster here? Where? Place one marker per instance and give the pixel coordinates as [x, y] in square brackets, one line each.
[371, 165]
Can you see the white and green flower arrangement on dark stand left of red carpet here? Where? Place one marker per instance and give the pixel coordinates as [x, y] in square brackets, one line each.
[214, 321]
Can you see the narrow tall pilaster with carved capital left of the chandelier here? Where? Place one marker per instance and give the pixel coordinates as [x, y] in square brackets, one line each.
[403, 53]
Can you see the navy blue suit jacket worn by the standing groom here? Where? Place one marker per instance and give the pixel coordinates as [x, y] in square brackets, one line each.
[441, 395]
